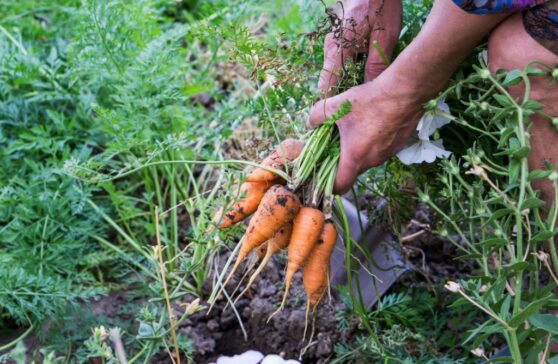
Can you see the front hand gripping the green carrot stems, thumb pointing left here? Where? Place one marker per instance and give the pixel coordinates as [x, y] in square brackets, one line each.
[384, 114]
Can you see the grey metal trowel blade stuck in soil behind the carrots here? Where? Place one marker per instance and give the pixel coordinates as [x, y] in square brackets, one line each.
[375, 273]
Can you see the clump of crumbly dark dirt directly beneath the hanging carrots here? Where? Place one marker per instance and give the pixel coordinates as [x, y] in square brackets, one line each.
[219, 333]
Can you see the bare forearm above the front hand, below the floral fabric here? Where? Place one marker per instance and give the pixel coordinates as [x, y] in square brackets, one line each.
[448, 36]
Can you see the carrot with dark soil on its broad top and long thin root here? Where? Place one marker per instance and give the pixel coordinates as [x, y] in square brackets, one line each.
[278, 207]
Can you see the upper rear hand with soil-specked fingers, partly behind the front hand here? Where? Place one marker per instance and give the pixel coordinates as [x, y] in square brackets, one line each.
[361, 23]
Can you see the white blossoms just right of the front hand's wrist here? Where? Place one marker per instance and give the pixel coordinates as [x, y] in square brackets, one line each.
[423, 149]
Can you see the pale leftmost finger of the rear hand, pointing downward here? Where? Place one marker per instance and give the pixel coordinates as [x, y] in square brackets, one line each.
[333, 65]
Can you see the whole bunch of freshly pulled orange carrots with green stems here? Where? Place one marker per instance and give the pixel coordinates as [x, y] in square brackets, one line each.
[293, 214]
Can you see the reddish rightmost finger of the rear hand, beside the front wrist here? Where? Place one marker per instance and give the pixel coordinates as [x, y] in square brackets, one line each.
[384, 35]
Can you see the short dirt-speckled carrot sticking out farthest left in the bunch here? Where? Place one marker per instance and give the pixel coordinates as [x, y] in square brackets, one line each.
[252, 193]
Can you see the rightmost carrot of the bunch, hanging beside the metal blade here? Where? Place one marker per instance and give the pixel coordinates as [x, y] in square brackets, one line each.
[316, 270]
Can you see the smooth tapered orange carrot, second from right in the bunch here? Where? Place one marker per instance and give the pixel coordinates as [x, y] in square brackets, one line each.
[307, 228]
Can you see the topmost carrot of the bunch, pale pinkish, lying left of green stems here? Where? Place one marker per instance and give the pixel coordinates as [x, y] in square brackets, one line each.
[284, 153]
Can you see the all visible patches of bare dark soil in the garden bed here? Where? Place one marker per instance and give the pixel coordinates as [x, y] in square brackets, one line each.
[219, 332]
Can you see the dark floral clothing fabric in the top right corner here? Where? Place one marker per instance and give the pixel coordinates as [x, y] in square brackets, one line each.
[540, 17]
